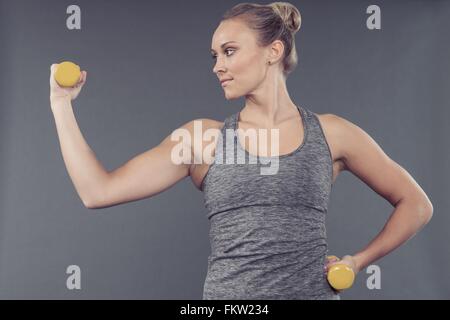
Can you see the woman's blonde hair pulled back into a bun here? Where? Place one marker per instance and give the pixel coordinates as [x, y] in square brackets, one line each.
[274, 21]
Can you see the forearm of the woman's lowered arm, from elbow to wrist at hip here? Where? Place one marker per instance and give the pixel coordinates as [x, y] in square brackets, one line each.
[405, 221]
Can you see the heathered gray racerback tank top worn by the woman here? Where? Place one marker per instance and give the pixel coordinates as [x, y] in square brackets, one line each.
[267, 231]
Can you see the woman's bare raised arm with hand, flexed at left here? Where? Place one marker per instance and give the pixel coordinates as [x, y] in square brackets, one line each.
[143, 176]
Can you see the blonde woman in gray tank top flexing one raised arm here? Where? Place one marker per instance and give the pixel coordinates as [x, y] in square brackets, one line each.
[268, 237]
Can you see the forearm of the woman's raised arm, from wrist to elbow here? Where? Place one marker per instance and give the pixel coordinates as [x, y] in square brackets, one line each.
[87, 173]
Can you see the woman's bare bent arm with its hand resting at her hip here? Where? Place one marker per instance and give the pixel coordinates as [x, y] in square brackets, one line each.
[413, 210]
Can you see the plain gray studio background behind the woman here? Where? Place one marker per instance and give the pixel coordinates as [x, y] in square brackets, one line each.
[150, 71]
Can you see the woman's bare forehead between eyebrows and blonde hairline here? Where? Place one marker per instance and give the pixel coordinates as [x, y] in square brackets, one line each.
[231, 30]
